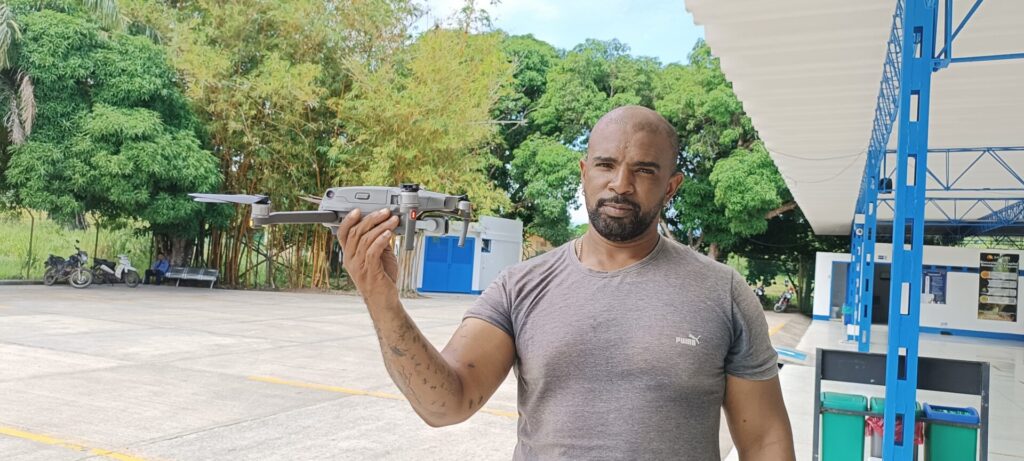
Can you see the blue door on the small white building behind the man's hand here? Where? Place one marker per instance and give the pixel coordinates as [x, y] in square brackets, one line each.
[448, 269]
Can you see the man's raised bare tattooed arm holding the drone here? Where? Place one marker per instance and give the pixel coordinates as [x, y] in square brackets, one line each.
[445, 388]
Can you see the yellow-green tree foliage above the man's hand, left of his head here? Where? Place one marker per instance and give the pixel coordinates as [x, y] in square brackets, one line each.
[425, 117]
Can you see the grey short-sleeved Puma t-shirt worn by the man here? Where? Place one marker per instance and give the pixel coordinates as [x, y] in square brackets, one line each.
[629, 364]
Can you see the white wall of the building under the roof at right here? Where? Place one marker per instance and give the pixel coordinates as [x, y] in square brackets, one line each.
[961, 310]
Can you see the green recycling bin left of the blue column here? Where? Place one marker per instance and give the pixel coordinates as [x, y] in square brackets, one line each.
[843, 436]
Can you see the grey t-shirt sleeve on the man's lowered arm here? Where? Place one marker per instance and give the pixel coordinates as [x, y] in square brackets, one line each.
[751, 355]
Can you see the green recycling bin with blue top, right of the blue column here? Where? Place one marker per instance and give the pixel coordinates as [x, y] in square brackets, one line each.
[949, 443]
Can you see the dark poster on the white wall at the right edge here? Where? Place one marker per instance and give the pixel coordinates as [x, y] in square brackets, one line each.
[998, 287]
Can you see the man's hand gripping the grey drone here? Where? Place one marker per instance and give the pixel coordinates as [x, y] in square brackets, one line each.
[369, 260]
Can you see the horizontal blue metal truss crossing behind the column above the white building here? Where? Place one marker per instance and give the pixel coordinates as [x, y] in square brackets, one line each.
[949, 180]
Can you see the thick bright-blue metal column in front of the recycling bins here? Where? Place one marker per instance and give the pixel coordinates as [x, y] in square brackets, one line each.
[905, 306]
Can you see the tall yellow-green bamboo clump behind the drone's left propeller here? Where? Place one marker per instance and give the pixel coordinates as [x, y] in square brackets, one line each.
[262, 77]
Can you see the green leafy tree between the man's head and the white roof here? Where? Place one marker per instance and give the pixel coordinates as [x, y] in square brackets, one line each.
[732, 187]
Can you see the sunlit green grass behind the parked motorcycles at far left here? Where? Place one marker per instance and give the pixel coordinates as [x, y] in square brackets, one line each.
[52, 238]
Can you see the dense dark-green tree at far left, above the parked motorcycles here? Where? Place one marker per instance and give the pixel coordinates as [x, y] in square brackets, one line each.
[113, 136]
